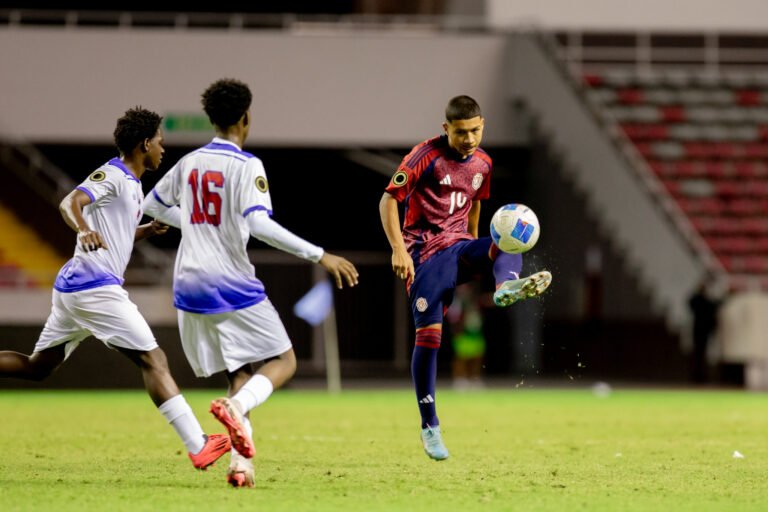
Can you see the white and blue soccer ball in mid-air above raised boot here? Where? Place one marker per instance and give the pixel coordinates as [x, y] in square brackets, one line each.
[515, 228]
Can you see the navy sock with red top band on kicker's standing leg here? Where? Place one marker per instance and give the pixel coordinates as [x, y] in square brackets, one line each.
[424, 372]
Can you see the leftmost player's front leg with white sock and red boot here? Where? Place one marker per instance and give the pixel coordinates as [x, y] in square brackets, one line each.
[203, 449]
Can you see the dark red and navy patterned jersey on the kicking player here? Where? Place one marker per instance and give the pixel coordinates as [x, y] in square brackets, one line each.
[438, 187]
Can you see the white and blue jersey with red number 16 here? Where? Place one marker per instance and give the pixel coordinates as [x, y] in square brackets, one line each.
[216, 187]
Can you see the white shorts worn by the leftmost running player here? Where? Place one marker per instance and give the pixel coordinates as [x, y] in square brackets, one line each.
[105, 312]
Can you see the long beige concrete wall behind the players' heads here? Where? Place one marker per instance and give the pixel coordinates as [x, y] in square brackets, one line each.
[386, 88]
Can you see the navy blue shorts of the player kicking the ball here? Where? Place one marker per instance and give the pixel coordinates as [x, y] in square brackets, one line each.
[437, 278]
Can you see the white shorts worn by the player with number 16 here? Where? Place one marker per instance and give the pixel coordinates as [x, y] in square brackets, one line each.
[229, 341]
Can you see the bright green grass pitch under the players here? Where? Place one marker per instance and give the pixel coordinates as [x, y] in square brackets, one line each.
[510, 450]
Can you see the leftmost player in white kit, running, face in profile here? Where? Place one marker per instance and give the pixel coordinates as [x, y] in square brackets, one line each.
[88, 297]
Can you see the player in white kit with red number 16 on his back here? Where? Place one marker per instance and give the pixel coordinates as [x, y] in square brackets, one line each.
[219, 196]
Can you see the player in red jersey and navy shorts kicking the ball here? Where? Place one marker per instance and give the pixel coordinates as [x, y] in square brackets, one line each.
[442, 181]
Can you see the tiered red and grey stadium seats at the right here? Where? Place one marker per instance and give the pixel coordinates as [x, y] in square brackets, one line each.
[703, 131]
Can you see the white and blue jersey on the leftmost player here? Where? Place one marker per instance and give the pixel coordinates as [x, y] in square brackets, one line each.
[115, 212]
